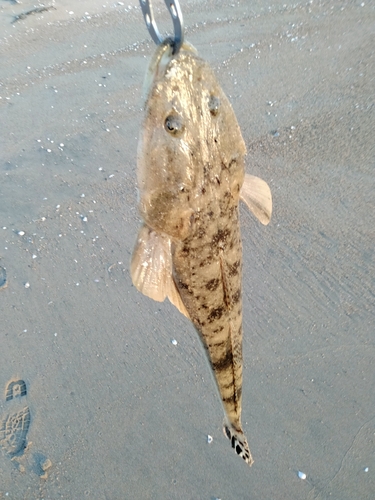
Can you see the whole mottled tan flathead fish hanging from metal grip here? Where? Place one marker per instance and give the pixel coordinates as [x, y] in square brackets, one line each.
[191, 177]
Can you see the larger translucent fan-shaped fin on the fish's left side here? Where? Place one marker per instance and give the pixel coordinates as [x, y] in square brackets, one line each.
[151, 268]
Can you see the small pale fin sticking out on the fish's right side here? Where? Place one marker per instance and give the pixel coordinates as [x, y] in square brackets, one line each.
[257, 195]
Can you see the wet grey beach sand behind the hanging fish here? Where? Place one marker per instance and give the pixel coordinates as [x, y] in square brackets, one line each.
[118, 409]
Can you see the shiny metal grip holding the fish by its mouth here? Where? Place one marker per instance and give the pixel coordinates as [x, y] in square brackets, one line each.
[175, 11]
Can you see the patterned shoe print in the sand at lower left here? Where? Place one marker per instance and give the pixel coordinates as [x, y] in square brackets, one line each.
[15, 425]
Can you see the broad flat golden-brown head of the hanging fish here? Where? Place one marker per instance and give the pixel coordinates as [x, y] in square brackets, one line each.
[189, 133]
